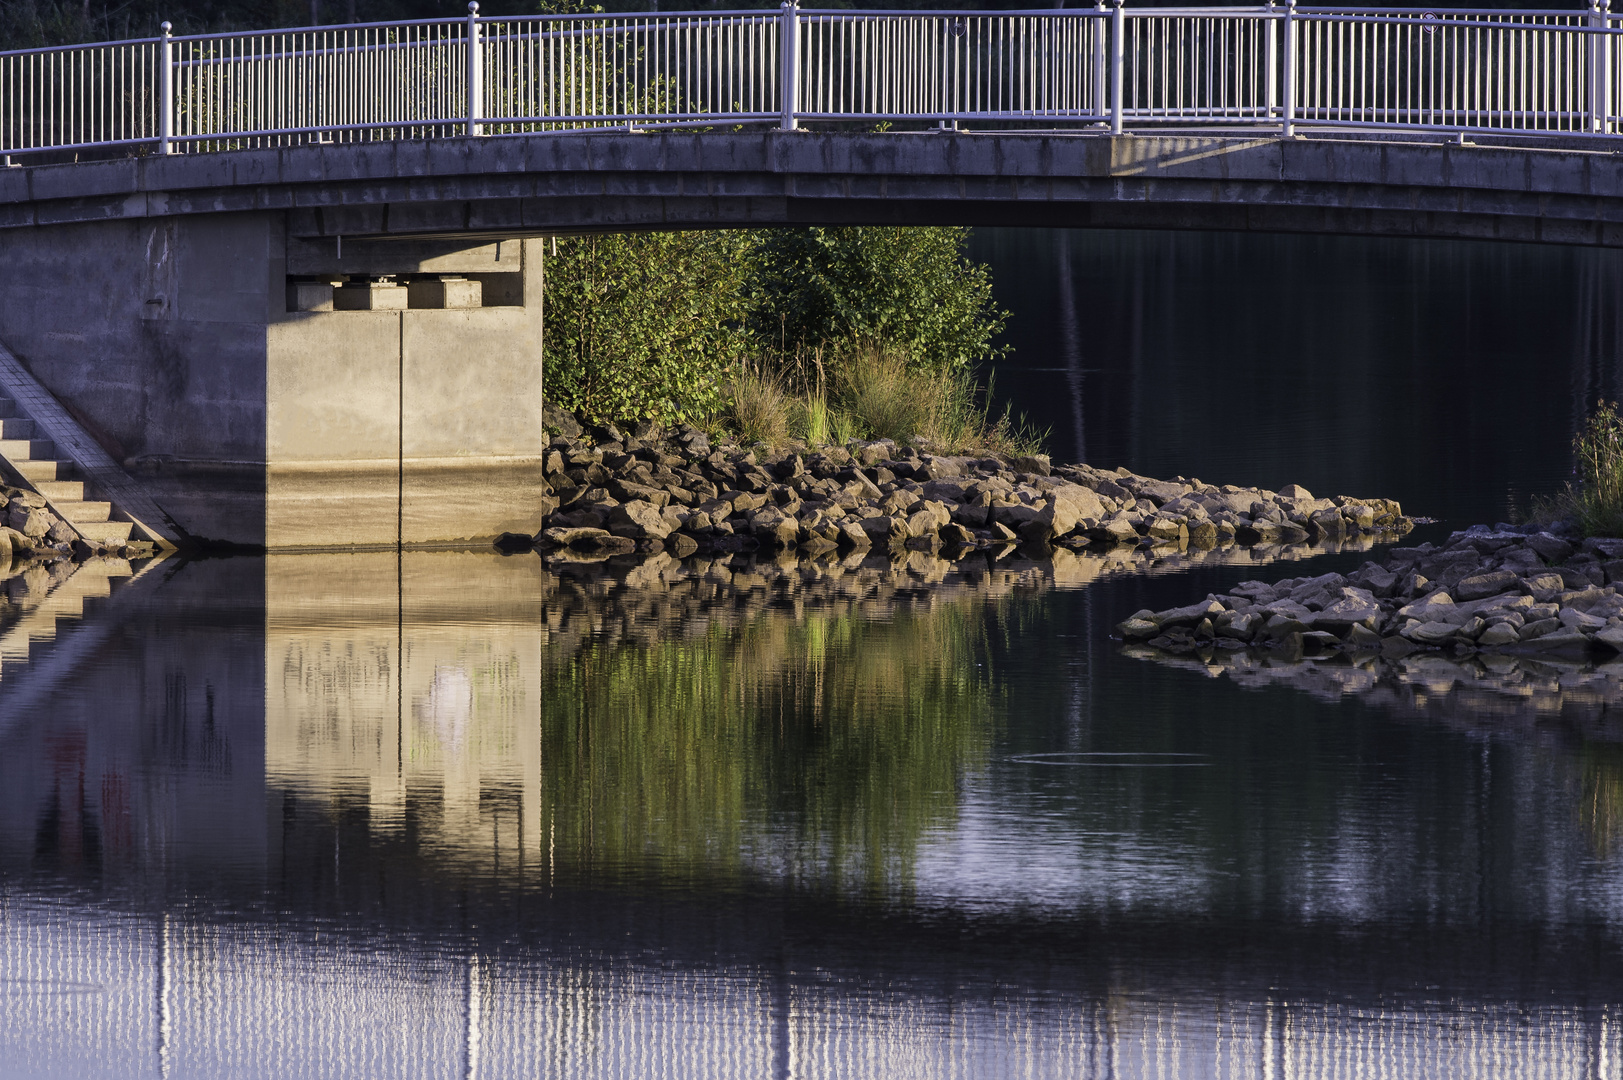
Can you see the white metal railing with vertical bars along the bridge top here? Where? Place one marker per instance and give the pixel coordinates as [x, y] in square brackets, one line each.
[1276, 67]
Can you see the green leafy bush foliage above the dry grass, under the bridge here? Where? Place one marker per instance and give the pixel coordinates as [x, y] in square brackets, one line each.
[652, 326]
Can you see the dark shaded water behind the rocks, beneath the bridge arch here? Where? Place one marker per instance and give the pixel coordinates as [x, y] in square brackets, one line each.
[1445, 374]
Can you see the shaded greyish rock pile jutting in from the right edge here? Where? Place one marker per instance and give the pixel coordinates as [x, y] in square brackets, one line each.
[1486, 590]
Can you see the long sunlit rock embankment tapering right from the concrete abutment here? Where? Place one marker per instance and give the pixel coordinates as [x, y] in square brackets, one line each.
[648, 491]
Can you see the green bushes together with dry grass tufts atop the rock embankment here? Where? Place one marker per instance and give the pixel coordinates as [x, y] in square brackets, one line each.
[855, 332]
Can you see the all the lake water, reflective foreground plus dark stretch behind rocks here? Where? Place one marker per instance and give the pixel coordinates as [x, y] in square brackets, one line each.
[449, 814]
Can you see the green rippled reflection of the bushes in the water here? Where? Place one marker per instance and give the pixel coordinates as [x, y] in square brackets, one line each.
[829, 743]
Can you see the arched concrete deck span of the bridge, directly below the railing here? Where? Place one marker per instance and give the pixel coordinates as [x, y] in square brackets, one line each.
[530, 186]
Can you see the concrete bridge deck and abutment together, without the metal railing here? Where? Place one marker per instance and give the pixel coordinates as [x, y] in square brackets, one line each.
[343, 343]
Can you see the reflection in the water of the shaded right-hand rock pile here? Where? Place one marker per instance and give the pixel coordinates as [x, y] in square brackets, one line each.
[1470, 691]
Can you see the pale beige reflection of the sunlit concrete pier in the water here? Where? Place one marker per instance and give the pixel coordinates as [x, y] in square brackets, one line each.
[423, 672]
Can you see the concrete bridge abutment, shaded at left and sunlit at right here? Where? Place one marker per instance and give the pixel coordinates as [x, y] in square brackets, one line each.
[168, 339]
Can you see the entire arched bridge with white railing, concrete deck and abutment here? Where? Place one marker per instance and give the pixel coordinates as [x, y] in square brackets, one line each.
[316, 256]
